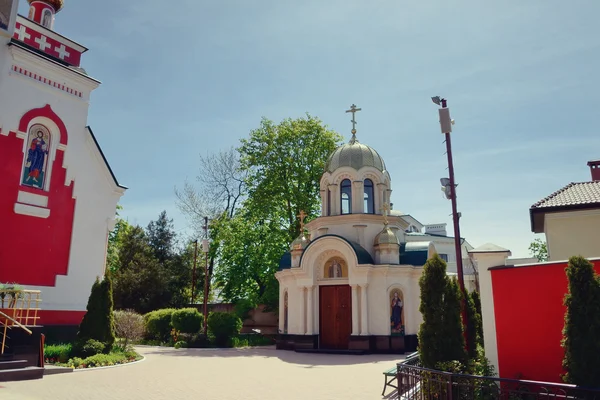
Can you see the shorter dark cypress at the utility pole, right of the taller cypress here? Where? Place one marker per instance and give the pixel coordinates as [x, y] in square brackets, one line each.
[452, 334]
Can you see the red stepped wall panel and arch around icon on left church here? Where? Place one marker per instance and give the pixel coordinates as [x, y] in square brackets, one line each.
[33, 251]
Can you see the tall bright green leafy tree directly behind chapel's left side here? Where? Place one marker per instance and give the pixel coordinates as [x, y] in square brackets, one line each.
[285, 162]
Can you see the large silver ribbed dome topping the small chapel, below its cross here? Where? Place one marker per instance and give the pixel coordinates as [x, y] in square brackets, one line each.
[355, 155]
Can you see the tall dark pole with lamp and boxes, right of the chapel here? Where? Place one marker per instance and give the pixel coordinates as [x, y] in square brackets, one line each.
[446, 125]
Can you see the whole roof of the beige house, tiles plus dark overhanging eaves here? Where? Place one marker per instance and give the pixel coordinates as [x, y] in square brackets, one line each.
[574, 196]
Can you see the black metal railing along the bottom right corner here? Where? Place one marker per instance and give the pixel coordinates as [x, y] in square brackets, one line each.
[418, 383]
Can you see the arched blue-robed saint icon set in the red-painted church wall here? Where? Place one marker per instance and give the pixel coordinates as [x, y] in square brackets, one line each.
[36, 156]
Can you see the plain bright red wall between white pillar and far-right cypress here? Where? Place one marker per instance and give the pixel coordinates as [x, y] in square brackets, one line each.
[529, 310]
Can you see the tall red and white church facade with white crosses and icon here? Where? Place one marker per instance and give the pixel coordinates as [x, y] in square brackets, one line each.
[57, 193]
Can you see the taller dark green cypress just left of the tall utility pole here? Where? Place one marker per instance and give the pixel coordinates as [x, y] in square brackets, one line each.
[433, 283]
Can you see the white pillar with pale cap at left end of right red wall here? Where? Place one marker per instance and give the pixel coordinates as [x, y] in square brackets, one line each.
[485, 258]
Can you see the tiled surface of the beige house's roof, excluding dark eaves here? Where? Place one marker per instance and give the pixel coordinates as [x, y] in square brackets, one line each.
[574, 194]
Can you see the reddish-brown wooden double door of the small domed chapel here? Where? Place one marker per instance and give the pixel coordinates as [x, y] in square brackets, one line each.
[335, 316]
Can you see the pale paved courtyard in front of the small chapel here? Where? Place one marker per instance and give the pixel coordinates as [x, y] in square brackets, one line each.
[206, 374]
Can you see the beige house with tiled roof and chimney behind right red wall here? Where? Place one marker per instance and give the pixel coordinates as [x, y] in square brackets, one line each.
[570, 218]
